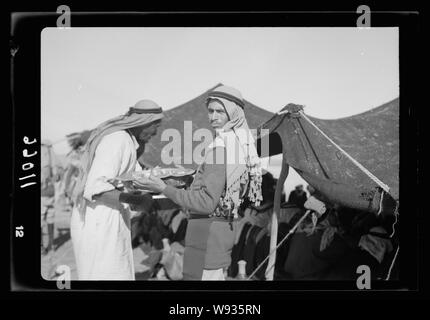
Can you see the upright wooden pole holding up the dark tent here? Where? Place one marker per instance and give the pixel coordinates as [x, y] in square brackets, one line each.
[274, 227]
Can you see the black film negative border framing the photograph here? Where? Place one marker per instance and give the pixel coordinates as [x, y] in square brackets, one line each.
[26, 31]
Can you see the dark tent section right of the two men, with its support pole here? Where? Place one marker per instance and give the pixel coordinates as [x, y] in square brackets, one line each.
[352, 161]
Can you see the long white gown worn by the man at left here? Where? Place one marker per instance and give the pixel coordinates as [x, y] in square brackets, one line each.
[101, 236]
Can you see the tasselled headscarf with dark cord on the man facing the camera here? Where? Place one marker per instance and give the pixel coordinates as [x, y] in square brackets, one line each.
[243, 163]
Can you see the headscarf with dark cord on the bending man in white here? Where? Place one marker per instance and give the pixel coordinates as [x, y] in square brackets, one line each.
[144, 112]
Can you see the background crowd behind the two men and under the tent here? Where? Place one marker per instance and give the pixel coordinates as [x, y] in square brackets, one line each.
[330, 249]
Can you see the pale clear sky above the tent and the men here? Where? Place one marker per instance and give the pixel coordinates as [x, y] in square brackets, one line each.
[92, 74]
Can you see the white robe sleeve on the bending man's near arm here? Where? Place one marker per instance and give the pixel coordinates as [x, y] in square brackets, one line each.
[111, 154]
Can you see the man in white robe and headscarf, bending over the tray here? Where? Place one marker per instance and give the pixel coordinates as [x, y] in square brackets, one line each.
[100, 225]
